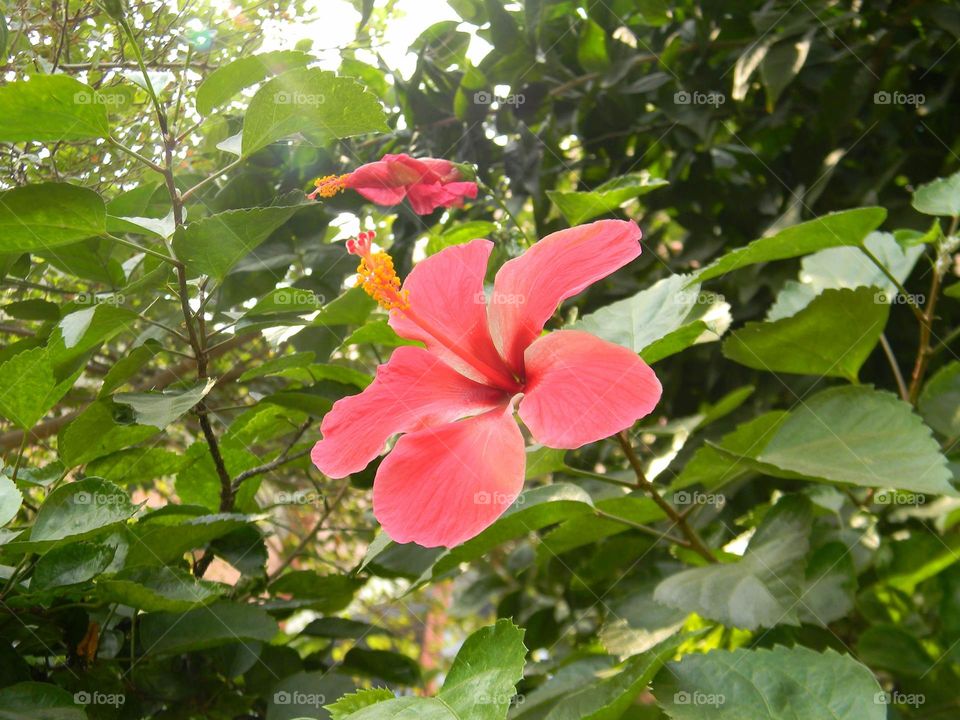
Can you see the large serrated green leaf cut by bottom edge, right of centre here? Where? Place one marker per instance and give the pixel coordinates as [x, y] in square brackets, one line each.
[777, 684]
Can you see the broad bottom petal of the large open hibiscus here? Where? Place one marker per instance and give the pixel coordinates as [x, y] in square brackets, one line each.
[445, 484]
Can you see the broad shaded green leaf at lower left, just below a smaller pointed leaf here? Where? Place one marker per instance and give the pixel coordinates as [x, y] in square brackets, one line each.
[204, 627]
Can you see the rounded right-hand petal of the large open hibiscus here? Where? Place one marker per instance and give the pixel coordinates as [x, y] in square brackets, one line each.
[581, 389]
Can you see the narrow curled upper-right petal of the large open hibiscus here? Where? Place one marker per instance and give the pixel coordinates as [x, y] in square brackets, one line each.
[529, 288]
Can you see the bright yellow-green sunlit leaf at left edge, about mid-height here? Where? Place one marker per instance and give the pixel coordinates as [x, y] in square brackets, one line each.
[29, 388]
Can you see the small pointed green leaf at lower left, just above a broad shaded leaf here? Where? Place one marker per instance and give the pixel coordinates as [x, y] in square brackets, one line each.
[159, 588]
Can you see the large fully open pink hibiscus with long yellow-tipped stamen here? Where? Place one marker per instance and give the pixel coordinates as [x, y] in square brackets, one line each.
[459, 462]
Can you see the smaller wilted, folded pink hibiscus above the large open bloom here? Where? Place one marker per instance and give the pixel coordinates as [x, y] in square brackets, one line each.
[428, 183]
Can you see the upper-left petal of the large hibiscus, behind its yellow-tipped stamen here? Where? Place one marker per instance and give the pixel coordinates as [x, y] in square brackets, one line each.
[448, 312]
